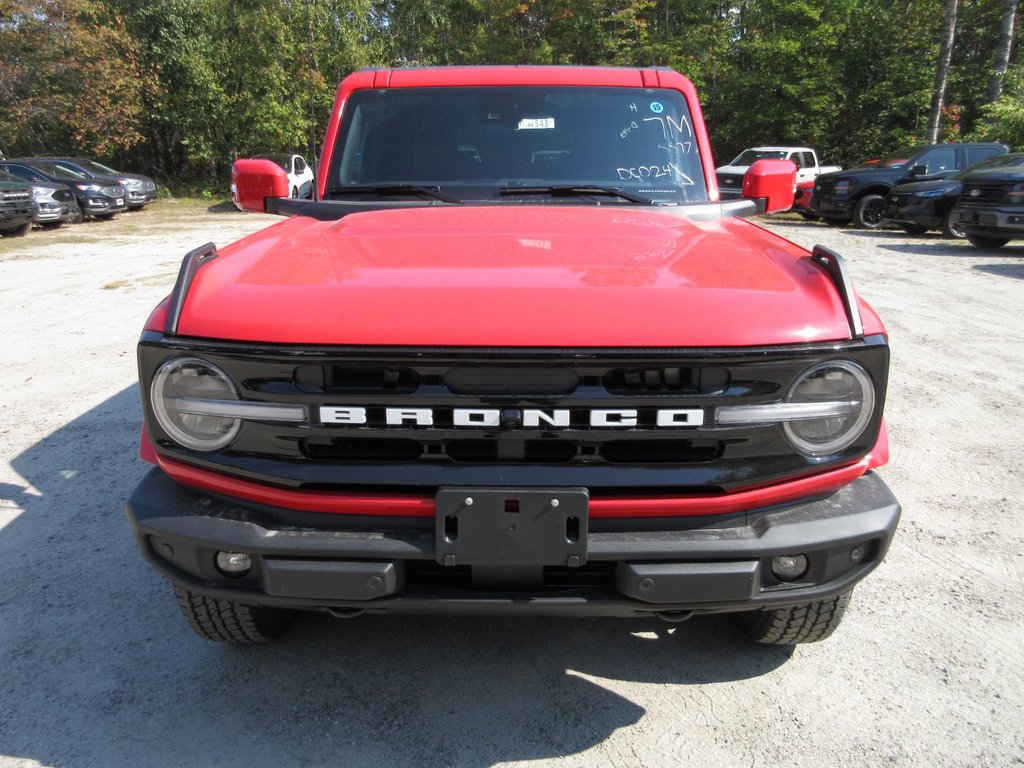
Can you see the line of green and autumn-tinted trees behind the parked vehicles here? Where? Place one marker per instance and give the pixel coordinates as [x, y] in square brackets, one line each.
[181, 89]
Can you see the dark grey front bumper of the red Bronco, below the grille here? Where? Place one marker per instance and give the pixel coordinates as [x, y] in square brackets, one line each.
[671, 568]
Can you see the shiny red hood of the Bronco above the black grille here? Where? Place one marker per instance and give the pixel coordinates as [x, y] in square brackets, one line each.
[517, 276]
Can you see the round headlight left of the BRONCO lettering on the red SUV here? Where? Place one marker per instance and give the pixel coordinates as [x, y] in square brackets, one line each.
[187, 394]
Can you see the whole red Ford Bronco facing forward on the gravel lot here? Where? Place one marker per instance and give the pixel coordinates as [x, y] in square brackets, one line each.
[515, 358]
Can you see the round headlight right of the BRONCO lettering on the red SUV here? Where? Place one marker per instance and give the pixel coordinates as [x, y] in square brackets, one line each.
[839, 401]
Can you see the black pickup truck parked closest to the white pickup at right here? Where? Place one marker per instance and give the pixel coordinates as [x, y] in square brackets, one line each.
[859, 194]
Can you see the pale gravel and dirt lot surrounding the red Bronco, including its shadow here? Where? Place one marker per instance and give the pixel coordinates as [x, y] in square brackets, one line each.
[100, 670]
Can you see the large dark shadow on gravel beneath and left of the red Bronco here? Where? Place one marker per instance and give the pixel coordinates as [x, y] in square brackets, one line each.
[100, 670]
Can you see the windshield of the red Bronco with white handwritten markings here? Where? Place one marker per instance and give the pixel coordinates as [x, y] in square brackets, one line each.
[477, 143]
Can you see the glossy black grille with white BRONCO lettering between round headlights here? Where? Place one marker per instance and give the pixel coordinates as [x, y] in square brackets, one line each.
[421, 415]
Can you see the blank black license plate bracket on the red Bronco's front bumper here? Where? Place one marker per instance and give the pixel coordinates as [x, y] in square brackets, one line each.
[513, 527]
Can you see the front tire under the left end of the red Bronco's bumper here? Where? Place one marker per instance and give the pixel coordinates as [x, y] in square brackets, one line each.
[229, 622]
